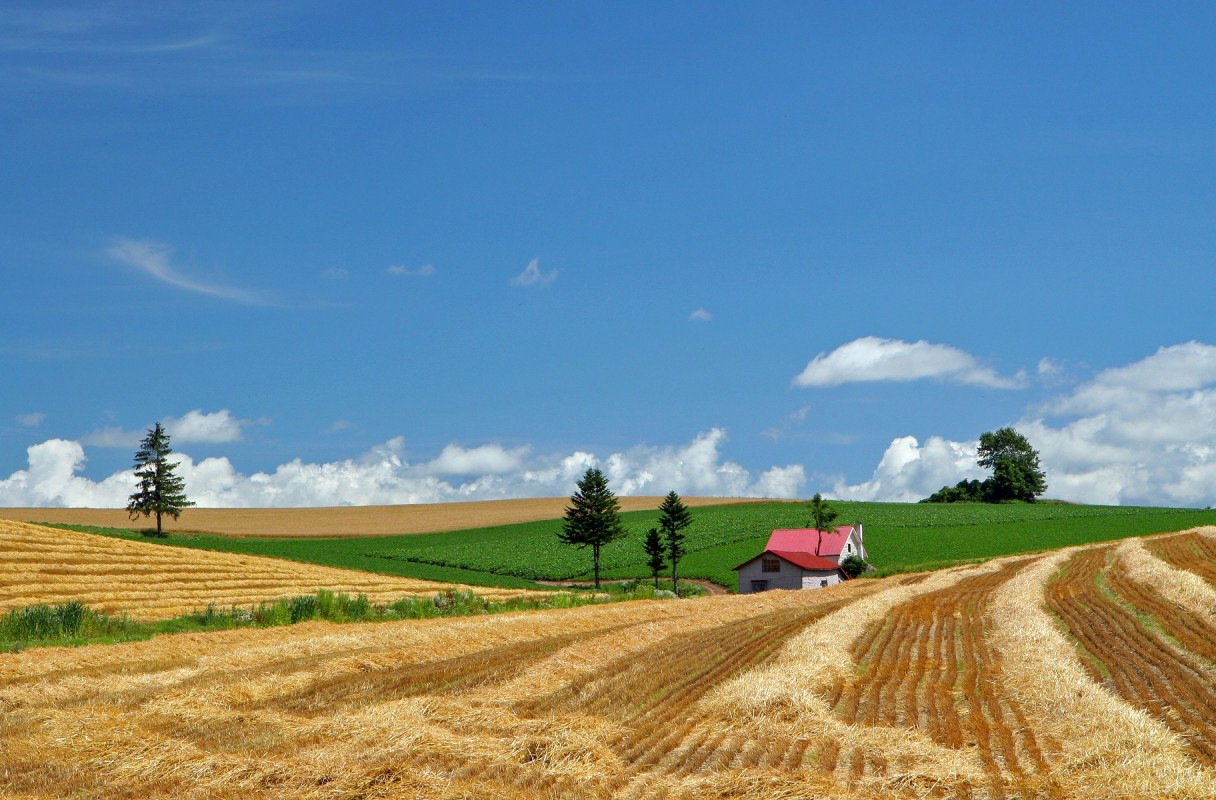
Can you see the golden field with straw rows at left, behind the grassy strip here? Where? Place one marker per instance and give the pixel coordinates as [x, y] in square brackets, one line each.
[154, 582]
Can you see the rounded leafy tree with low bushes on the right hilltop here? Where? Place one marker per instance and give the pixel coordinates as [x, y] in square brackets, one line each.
[1017, 476]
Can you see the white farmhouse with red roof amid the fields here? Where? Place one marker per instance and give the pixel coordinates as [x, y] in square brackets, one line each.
[802, 559]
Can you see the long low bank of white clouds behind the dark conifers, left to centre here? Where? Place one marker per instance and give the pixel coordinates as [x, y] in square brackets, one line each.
[384, 476]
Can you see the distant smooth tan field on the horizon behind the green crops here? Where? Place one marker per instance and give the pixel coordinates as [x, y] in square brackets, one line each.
[353, 521]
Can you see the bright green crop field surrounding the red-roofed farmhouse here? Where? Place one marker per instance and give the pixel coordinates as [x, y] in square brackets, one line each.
[899, 537]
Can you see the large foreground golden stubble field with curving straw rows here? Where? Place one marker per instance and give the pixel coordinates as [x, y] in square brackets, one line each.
[1085, 673]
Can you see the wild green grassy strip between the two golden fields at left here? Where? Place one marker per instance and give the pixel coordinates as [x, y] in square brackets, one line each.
[74, 623]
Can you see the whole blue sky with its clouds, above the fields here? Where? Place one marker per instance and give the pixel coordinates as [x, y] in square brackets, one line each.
[421, 252]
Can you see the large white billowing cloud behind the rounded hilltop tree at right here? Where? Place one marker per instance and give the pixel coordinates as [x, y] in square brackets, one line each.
[1139, 435]
